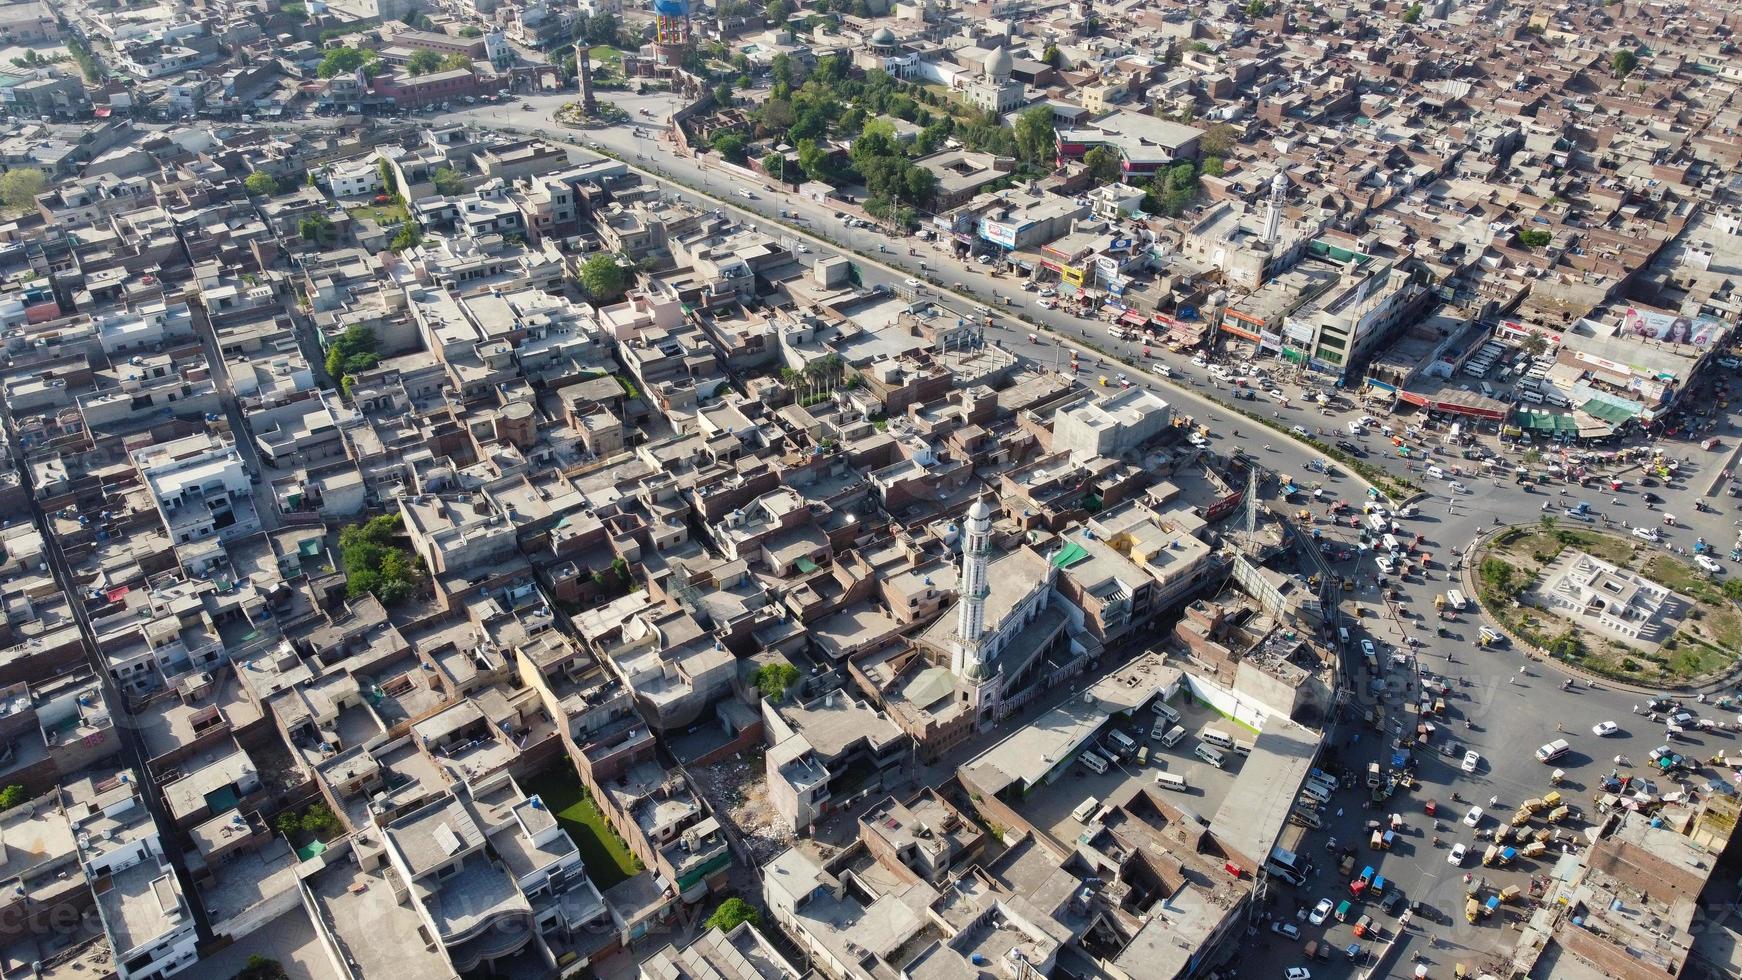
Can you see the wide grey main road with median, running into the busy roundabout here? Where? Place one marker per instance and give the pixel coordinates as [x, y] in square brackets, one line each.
[1496, 711]
